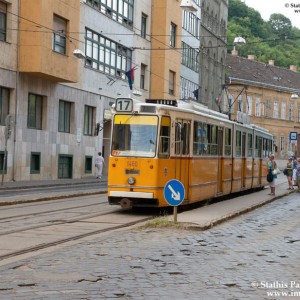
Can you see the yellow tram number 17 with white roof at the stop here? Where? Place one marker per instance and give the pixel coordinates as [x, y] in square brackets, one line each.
[157, 141]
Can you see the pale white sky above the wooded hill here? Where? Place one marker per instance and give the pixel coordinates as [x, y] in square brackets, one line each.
[284, 7]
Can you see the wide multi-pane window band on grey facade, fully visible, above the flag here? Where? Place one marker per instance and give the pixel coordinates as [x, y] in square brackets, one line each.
[106, 56]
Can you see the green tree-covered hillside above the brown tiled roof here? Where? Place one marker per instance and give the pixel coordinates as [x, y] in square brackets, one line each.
[274, 39]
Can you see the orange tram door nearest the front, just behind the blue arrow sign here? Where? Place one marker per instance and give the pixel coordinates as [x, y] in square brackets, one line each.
[182, 153]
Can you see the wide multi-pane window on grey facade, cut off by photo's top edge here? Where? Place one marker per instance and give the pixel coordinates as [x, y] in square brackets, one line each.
[119, 10]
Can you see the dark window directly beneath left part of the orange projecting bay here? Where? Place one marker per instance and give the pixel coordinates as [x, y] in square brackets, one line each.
[35, 111]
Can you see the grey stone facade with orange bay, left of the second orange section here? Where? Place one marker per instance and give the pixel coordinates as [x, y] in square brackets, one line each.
[58, 105]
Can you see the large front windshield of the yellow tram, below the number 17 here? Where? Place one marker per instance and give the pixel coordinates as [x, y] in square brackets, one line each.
[134, 135]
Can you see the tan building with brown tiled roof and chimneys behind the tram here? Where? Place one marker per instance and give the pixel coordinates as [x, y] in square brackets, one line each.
[266, 96]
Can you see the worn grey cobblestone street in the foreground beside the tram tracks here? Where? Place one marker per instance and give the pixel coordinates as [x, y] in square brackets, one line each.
[254, 256]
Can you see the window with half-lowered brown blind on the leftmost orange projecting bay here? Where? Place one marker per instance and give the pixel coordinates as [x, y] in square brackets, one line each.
[59, 34]
